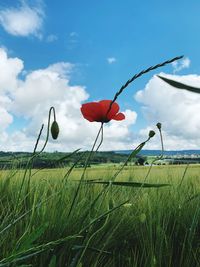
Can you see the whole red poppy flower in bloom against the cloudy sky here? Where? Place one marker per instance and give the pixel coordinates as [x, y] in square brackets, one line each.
[98, 111]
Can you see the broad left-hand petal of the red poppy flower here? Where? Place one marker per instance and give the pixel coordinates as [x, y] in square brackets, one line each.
[92, 111]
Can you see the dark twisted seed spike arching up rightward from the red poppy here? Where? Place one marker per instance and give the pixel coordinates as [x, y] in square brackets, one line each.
[140, 74]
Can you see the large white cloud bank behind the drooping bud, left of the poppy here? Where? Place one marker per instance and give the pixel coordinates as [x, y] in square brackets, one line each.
[31, 98]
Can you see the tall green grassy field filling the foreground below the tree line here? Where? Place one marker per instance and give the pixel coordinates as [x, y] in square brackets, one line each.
[54, 220]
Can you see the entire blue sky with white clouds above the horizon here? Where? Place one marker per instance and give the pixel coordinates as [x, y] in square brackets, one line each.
[66, 53]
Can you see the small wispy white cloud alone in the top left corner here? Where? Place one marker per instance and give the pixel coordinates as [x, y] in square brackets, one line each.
[23, 20]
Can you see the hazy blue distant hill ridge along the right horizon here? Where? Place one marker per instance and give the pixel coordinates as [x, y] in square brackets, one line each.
[157, 152]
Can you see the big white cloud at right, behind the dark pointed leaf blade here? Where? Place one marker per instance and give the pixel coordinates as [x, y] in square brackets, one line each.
[177, 110]
